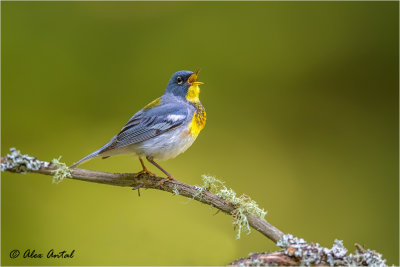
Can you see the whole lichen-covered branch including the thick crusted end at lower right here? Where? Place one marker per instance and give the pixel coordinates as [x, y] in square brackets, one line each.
[296, 251]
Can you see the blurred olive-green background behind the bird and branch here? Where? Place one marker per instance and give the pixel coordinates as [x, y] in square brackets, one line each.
[302, 105]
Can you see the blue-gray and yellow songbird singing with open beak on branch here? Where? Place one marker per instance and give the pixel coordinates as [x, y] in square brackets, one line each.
[164, 128]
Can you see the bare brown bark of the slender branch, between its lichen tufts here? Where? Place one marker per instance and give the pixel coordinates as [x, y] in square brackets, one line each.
[142, 180]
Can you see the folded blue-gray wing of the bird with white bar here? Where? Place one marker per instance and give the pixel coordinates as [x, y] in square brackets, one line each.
[150, 123]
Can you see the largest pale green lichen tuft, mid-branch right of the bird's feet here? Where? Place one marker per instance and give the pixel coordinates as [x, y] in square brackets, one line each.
[243, 204]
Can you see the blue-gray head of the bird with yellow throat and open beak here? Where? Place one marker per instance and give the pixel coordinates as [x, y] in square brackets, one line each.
[184, 84]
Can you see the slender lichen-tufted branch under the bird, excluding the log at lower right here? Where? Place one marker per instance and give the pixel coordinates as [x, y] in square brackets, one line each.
[245, 211]
